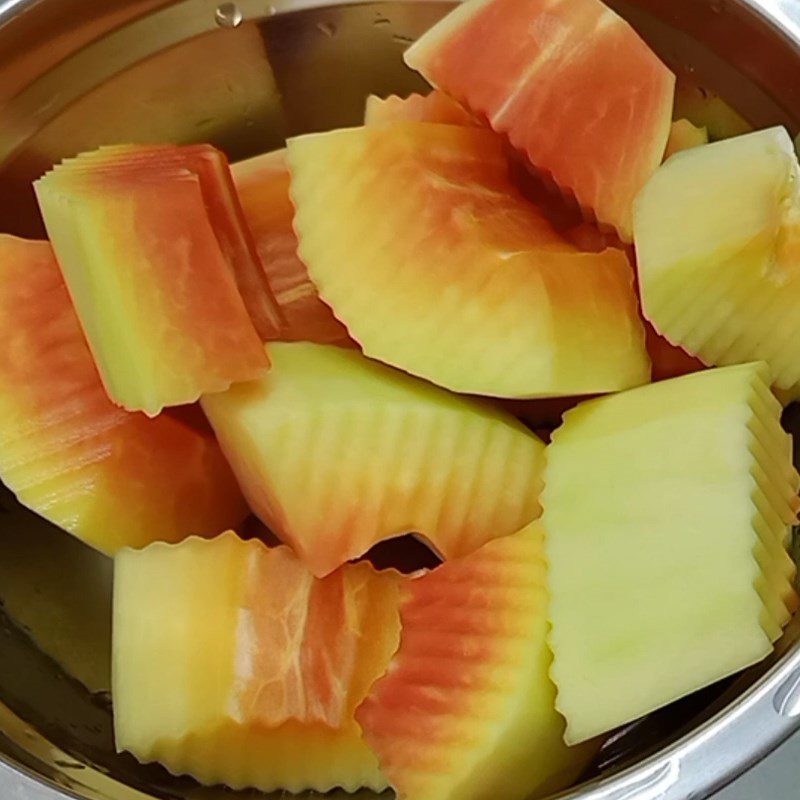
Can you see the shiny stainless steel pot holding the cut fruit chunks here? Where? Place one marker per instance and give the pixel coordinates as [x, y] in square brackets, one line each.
[75, 74]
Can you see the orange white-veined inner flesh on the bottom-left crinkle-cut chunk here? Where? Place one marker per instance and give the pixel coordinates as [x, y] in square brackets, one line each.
[319, 640]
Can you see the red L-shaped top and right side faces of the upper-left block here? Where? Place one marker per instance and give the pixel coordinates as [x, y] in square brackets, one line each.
[225, 212]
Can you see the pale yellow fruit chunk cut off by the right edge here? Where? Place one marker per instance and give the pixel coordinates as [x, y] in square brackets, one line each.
[726, 290]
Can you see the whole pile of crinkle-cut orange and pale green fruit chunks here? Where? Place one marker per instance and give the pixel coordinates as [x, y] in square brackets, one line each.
[372, 334]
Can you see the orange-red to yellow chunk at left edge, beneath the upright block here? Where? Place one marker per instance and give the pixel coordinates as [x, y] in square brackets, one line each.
[109, 477]
